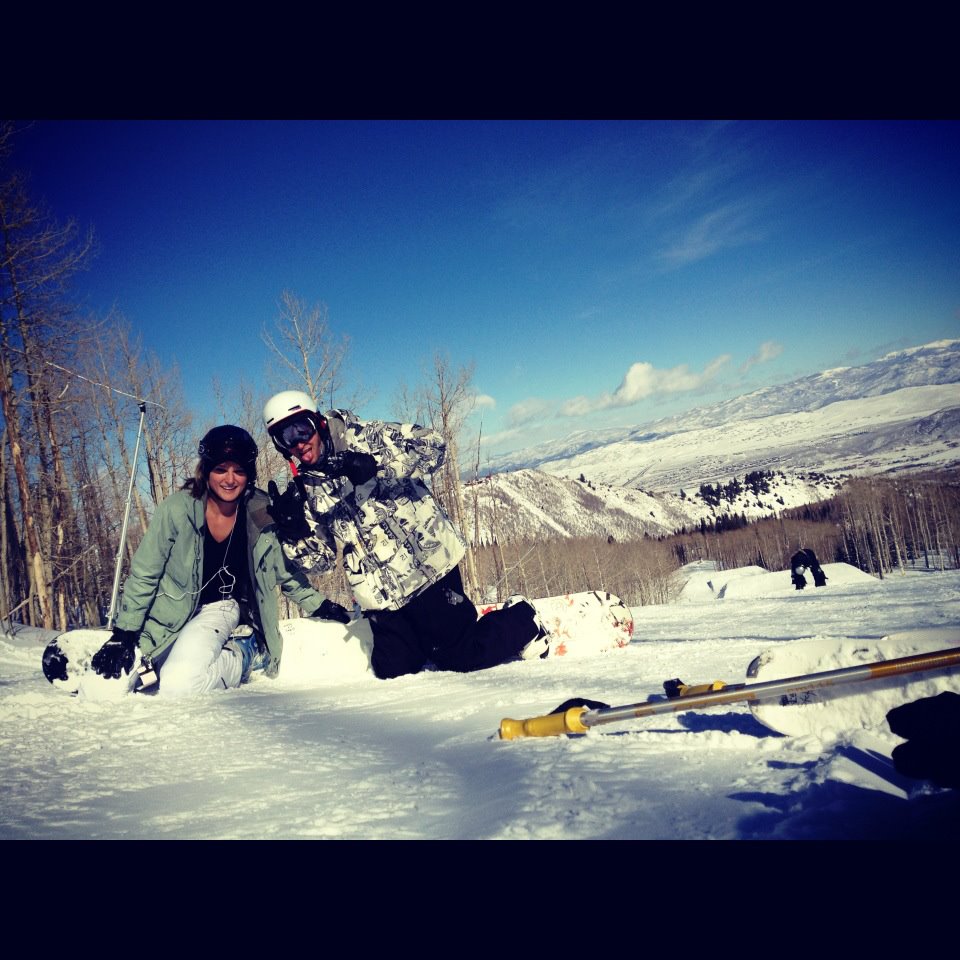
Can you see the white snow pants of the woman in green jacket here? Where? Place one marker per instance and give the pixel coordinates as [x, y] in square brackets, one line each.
[198, 662]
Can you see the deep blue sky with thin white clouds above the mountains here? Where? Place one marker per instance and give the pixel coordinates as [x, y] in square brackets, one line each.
[596, 273]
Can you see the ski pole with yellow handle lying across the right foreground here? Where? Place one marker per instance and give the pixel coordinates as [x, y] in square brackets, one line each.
[580, 719]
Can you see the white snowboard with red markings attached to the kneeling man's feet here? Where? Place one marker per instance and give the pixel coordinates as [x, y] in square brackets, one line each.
[582, 624]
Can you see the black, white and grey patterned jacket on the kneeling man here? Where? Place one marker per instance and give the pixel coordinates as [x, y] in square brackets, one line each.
[396, 539]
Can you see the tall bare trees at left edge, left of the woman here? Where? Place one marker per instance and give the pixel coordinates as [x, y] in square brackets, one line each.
[65, 452]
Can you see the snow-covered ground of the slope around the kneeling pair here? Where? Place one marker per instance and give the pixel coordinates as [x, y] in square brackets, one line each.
[328, 751]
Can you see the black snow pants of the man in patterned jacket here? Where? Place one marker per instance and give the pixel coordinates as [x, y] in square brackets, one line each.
[440, 626]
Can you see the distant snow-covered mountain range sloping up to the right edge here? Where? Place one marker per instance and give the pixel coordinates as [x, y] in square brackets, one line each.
[899, 412]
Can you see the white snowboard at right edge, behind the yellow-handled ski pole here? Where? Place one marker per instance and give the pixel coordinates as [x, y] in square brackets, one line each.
[829, 712]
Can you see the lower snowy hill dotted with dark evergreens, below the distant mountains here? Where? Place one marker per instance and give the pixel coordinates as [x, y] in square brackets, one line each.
[531, 504]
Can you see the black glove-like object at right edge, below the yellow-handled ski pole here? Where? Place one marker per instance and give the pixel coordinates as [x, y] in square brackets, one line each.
[931, 728]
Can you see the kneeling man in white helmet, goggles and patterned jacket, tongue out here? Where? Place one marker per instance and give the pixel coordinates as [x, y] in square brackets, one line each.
[361, 485]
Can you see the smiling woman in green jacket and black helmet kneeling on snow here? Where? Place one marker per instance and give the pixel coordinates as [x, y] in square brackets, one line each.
[199, 603]
